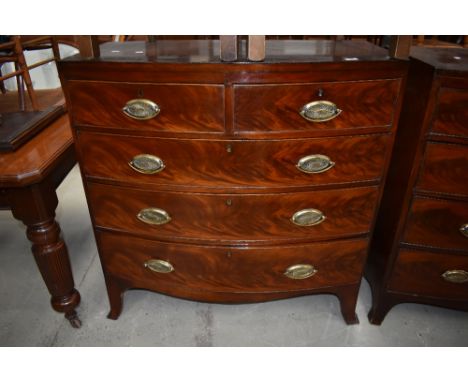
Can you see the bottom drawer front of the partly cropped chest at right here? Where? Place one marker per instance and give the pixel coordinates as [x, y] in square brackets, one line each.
[430, 274]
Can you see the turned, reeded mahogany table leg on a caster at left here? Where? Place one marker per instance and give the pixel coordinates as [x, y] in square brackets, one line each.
[35, 206]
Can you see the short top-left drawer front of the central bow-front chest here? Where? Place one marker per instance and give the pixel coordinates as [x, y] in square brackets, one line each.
[182, 108]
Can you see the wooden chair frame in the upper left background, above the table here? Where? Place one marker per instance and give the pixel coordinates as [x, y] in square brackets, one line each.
[13, 51]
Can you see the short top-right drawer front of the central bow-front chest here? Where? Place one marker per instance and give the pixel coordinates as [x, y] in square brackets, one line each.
[276, 108]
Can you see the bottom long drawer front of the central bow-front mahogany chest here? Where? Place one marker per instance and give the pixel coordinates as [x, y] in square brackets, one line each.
[173, 267]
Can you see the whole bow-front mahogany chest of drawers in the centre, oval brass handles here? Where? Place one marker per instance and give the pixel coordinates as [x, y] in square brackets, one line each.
[234, 182]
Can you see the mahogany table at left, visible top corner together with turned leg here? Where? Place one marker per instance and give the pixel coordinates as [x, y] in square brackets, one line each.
[29, 177]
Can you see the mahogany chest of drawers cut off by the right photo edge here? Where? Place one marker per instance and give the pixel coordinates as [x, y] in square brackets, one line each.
[419, 252]
